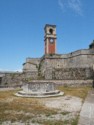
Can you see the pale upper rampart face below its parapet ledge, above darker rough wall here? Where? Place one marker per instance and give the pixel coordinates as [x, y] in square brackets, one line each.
[83, 61]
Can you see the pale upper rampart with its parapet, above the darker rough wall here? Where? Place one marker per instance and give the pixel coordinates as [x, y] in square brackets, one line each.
[77, 59]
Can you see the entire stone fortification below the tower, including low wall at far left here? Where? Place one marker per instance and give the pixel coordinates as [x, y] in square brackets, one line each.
[78, 65]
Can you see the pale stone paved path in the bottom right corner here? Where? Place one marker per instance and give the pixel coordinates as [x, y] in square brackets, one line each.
[87, 111]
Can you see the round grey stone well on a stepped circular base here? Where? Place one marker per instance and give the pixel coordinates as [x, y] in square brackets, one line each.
[39, 89]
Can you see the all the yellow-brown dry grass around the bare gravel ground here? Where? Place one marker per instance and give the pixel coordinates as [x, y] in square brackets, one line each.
[14, 108]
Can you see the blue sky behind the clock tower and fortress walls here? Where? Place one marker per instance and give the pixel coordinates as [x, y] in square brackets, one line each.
[22, 28]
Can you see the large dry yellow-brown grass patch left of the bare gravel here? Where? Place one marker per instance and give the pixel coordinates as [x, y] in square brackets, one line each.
[14, 108]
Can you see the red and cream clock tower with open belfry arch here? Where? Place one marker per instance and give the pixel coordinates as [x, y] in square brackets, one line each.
[50, 39]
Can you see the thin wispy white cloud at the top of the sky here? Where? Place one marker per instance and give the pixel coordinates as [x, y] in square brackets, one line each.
[74, 5]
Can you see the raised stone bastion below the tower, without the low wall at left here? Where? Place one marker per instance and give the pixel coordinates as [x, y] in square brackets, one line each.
[73, 63]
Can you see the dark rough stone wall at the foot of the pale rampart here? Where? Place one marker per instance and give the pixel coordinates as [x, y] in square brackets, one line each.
[69, 74]
